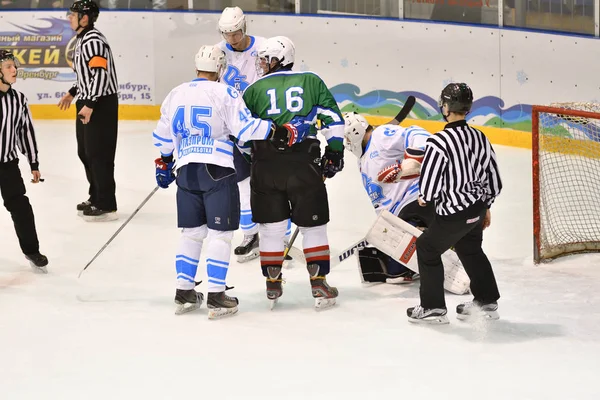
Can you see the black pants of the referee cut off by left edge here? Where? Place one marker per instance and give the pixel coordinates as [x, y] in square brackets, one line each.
[12, 189]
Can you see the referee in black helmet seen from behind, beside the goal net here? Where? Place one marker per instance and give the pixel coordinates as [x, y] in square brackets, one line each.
[460, 175]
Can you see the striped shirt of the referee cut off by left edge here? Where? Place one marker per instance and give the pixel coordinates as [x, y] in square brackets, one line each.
[16, 129]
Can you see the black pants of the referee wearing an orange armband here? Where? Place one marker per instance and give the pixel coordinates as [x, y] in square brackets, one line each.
[96, 147]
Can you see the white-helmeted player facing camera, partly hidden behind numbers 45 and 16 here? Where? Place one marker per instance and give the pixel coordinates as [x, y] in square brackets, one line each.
[241, 54]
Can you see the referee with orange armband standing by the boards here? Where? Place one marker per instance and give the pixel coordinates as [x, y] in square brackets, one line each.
[97, 111]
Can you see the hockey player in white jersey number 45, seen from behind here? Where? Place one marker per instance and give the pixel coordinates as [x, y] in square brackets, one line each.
[201, 122]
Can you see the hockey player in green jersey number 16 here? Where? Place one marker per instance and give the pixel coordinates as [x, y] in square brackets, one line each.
[287, 182]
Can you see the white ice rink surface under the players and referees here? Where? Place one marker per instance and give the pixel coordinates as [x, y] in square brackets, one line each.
[113, 334]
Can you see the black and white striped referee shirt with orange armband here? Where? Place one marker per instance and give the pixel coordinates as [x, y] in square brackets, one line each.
[95, 68]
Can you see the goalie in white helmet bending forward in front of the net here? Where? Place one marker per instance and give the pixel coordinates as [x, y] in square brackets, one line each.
[389, 159]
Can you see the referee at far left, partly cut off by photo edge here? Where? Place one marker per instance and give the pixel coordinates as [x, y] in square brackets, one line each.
[17, 133]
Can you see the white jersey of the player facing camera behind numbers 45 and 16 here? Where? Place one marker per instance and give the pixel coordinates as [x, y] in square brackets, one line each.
[242, 69]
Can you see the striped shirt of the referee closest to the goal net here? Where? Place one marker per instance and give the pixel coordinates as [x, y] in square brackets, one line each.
[459, 169]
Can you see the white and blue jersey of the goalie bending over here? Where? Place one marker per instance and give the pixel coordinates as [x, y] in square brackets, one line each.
[386, 147]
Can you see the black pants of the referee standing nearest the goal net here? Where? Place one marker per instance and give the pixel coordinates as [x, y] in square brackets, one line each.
[464, 232]
